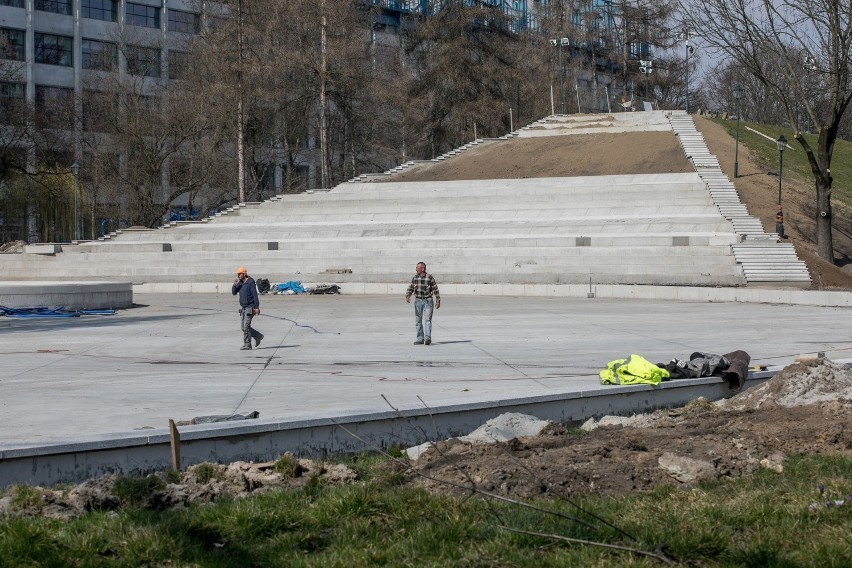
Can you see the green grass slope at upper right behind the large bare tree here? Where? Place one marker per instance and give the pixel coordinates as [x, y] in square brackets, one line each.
[795, 161]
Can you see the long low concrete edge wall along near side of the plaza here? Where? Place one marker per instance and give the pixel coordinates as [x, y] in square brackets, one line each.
[135, 453]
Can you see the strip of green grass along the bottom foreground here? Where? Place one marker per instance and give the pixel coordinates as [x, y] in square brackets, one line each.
[763, 520]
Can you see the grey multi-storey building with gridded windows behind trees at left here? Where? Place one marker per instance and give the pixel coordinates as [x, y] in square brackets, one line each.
[56, 53]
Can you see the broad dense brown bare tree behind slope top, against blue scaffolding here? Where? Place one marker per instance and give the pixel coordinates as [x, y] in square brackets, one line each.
[469, 64]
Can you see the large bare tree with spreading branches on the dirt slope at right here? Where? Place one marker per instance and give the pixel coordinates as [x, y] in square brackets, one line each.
[801, 52]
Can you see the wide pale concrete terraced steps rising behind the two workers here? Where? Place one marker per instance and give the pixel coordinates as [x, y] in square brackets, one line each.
[661, 229]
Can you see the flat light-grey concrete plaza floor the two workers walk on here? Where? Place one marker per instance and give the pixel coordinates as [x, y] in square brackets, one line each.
[176, 356]
